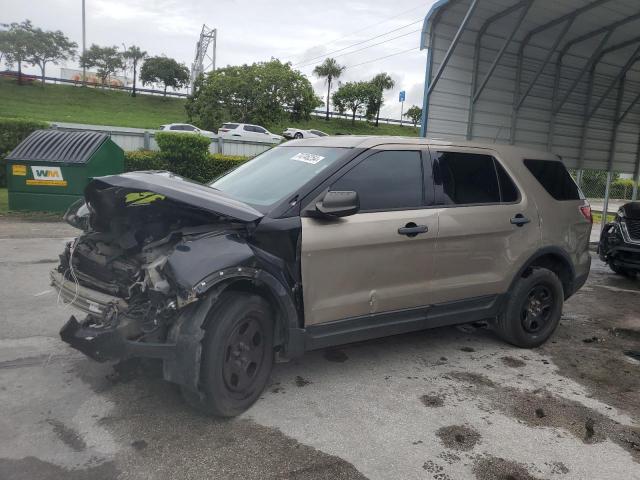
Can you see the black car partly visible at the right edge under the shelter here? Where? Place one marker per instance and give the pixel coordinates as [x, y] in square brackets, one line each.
[620, 241]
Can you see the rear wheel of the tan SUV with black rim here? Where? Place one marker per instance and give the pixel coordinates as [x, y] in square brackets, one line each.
[533, 310]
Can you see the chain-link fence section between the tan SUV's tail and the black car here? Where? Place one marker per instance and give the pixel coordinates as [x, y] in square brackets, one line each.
[606, 191]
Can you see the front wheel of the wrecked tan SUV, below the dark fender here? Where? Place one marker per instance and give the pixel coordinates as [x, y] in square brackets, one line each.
[237, 355]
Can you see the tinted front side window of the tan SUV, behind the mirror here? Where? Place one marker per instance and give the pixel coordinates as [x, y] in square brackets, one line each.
[386, 180]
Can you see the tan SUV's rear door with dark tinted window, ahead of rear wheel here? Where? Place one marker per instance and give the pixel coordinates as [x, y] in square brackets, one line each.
[488, 225]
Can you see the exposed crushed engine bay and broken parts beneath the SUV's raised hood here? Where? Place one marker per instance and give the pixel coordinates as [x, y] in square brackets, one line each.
[120, 276]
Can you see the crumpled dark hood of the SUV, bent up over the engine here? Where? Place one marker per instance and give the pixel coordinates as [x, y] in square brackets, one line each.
[145, 188]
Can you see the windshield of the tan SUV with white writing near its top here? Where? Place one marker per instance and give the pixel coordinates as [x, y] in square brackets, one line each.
[276, 174]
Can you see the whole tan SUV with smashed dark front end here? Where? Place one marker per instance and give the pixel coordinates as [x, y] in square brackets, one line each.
[315, 243]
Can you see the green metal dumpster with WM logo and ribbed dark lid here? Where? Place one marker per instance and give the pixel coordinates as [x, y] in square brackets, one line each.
[49, 170]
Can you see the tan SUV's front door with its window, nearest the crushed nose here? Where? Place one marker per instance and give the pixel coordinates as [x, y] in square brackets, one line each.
[363, 264]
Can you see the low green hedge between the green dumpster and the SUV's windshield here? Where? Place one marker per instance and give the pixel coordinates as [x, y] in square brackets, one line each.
[199, 169]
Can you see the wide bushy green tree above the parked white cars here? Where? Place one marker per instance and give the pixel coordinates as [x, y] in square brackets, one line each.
[263, 93]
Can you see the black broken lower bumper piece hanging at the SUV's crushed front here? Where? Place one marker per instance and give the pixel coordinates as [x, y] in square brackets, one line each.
[109, 343]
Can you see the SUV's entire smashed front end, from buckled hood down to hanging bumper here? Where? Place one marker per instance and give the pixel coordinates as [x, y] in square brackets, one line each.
[144, 256]
